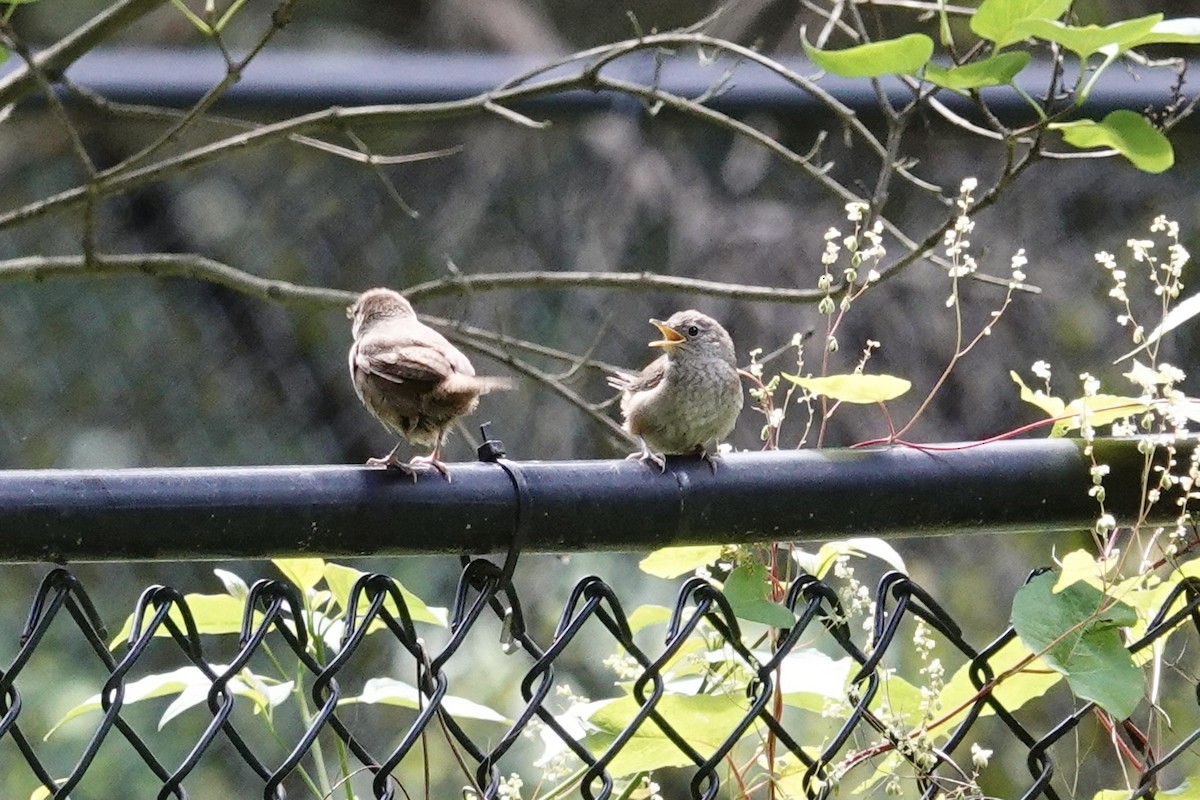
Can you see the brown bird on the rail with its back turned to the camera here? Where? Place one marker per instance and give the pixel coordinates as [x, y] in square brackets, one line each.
[410, 377]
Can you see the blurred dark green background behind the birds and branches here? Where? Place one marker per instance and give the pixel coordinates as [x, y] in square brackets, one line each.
[140, 372]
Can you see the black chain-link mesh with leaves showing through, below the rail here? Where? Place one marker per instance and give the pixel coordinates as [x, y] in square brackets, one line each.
[861, 733]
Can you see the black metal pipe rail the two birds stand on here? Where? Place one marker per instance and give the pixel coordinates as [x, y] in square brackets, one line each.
[561, 507]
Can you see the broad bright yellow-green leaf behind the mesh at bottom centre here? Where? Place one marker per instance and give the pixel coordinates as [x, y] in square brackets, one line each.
[705, 719]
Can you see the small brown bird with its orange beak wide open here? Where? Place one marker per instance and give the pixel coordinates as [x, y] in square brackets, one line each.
[689, 396]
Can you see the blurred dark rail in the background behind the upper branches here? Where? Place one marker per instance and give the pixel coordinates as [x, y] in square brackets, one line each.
[319, 80]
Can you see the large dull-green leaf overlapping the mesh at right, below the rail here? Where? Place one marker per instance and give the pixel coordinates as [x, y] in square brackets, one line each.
[1077, 631]
